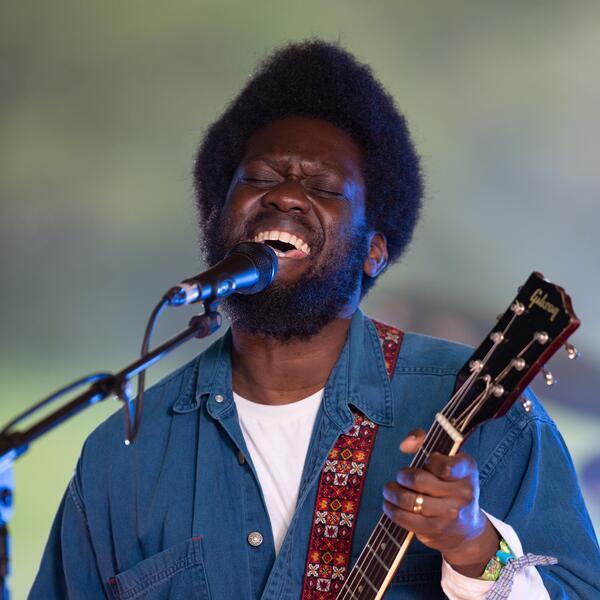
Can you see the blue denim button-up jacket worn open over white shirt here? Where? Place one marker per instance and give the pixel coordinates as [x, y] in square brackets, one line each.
[172, 515]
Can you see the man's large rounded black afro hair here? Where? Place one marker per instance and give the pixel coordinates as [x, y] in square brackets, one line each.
[320, 80]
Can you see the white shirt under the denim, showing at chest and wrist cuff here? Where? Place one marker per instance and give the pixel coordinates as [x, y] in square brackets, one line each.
[277, 438]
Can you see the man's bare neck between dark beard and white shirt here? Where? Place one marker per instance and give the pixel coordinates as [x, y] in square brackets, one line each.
[268, 371]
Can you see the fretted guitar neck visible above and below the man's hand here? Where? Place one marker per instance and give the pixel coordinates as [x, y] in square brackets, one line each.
[388, 543]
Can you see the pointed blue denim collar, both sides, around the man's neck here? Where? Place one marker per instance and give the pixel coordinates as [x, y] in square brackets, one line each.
[359, 378]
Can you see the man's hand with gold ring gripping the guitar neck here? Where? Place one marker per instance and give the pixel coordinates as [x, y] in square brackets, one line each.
[450, 519]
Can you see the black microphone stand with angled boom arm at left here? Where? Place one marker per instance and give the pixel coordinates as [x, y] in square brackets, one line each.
[15, 444]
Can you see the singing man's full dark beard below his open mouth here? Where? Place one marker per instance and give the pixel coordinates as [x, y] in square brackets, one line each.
[299, 310]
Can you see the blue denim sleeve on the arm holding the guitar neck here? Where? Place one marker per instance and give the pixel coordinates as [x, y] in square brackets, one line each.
[529, 481]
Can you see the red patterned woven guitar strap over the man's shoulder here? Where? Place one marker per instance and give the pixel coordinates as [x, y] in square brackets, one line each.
[340, 489]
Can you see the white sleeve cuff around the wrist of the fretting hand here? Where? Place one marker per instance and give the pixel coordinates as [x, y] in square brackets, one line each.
[527, 583]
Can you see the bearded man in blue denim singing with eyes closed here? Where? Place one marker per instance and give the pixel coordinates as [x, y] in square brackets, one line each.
[262, 466]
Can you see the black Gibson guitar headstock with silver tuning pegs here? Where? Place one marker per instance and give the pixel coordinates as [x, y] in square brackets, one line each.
[538, 322]
